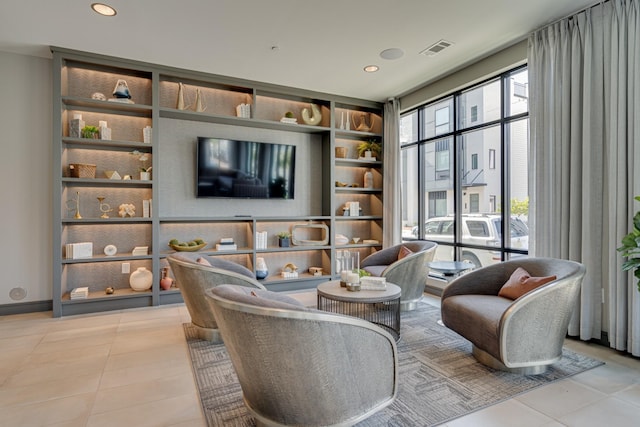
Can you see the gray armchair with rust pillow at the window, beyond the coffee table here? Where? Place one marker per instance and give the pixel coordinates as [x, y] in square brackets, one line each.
[409, 272]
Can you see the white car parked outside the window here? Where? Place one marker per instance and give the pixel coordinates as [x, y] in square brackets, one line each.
[479, 230]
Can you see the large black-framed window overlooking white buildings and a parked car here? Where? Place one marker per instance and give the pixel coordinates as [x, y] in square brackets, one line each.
[464, 171]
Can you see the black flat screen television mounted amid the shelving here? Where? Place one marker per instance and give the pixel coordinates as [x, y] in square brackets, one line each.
[245, 169]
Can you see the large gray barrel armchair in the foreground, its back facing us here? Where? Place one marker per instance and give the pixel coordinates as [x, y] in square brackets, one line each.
[300, 366]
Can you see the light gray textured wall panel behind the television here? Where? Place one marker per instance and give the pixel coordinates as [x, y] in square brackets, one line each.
[175, 172]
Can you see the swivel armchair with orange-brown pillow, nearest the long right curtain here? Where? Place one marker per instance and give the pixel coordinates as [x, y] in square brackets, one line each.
[514, 333]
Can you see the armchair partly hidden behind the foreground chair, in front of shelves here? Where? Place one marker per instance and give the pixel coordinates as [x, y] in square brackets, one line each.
[194, 278]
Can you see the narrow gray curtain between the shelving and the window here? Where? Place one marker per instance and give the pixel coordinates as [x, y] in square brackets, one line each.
[392, 223]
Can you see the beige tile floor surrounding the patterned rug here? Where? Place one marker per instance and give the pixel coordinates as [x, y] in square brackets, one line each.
[132, 368]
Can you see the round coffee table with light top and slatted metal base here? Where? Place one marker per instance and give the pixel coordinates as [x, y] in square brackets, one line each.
[379, 307]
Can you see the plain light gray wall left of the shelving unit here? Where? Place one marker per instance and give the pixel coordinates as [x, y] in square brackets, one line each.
[25, 176]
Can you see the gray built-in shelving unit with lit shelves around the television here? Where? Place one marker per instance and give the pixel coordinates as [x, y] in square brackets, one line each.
[174, 211]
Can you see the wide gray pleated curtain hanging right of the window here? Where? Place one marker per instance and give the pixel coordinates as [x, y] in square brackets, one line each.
[584, 76]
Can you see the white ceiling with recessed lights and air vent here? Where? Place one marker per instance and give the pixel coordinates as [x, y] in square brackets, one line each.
[322, 45]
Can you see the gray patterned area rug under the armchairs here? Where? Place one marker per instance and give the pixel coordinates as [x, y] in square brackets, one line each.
[438, 379]
